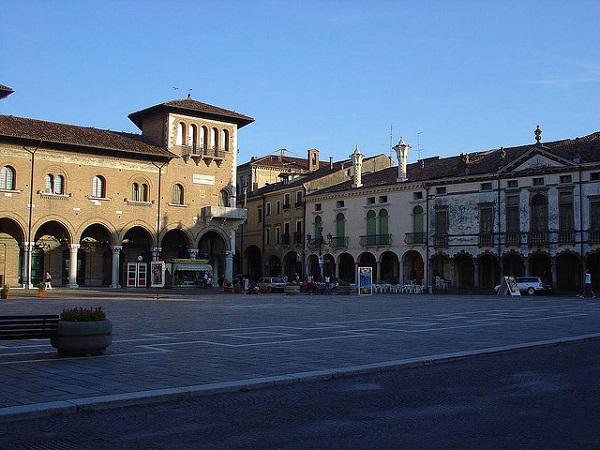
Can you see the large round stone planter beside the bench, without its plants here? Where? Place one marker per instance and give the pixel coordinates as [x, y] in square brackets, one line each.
[82, 338]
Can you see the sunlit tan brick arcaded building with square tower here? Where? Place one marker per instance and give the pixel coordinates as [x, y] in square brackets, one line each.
[94, 207]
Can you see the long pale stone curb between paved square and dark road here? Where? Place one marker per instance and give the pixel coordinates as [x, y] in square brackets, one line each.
[37, 410]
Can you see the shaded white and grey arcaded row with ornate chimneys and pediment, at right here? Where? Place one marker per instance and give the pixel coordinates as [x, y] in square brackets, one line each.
[468, 220]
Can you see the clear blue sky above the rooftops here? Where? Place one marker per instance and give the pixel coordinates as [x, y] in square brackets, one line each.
[456, 76]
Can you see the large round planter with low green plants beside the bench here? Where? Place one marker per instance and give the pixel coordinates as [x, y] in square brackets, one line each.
[82, 332]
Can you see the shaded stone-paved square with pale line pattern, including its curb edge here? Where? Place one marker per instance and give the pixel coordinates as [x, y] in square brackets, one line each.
[182, 344]
